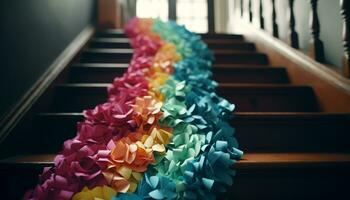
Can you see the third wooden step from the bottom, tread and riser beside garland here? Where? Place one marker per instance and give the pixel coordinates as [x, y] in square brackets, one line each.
[75, 97]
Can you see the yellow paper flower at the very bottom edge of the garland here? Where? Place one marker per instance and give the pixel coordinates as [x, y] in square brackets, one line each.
[101, 193]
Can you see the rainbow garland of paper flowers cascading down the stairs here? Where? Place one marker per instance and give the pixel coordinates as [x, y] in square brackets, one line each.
[163, 134]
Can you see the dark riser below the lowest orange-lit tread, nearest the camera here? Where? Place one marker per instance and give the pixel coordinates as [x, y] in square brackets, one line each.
[289, 183]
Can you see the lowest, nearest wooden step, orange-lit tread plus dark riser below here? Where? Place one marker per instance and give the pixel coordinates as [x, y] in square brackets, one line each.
[268, 175]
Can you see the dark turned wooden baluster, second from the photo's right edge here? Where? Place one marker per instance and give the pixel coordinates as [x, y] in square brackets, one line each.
[316, 45]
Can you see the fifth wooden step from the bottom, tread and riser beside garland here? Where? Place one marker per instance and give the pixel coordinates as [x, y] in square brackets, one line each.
[105, 55]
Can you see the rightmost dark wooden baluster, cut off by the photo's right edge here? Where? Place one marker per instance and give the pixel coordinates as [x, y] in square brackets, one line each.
[346, 43]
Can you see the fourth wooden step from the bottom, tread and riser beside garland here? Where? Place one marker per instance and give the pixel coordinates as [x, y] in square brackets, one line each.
[106, 72]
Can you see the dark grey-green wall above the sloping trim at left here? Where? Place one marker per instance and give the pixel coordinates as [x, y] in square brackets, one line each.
[33, 34]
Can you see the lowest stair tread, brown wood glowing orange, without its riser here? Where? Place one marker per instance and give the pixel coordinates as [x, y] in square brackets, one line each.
[249, 160]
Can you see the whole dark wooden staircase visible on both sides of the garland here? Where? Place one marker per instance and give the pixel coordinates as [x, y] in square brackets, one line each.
[293, 150]
